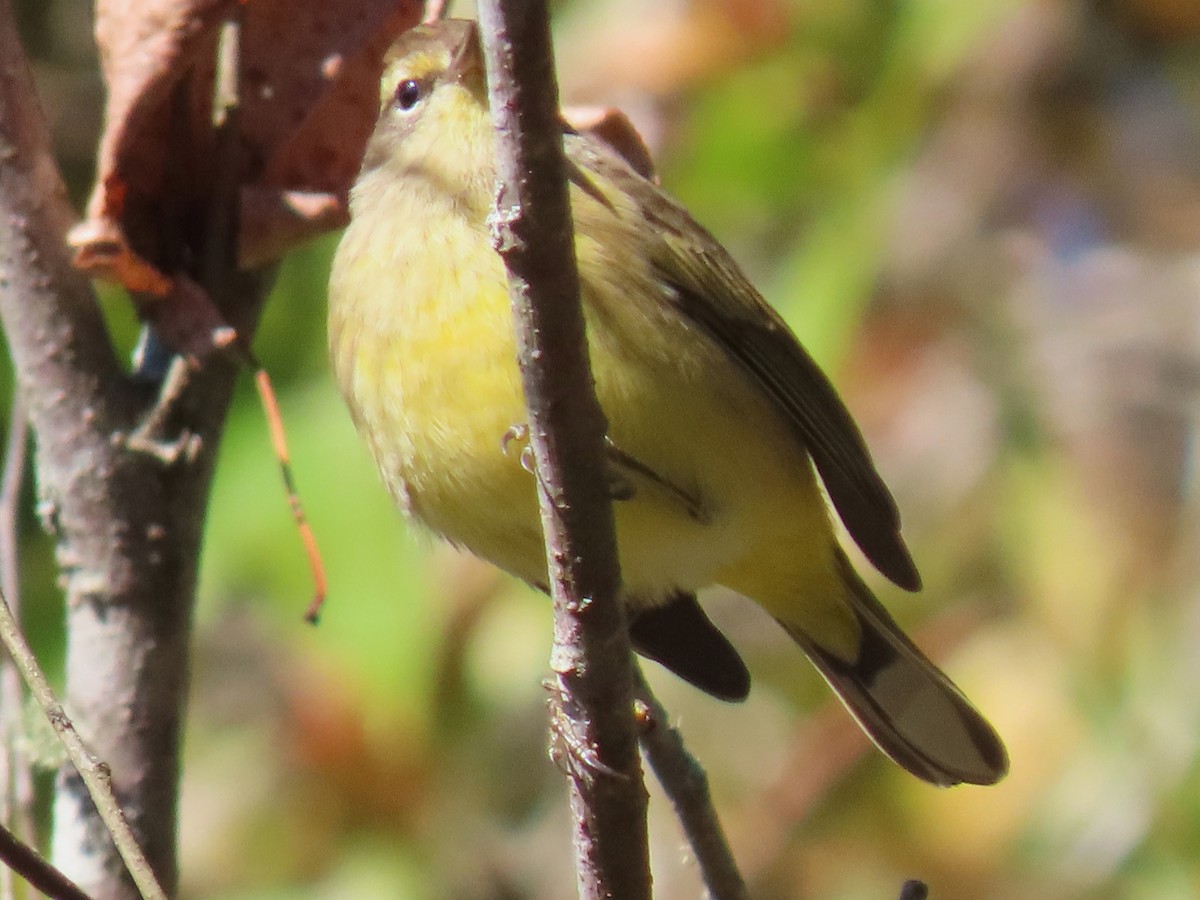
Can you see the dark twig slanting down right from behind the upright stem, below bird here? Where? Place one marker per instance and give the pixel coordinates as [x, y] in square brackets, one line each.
[687, 785]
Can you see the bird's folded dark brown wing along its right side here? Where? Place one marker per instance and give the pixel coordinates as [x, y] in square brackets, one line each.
[701, 279]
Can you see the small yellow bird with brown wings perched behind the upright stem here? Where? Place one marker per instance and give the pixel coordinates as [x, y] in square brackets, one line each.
[719, 422]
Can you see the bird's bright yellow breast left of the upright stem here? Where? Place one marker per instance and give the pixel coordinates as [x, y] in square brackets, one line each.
[428, 364]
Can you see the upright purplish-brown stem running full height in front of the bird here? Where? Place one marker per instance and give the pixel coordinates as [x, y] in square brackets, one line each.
[592, 656]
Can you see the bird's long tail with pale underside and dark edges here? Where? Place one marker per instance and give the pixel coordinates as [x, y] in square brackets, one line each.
[904, 703]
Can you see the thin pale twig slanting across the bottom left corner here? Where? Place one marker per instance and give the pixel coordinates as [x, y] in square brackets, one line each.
[94, 771]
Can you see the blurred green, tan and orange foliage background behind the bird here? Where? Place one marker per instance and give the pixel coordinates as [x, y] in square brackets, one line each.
[983, 220]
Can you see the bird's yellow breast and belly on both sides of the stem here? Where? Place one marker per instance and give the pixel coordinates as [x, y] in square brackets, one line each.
[431, 376]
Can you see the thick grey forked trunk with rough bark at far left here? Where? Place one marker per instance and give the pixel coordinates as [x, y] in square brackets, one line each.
[128, 523]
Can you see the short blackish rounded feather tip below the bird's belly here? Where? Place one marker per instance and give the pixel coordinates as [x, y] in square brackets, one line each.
[682, 638]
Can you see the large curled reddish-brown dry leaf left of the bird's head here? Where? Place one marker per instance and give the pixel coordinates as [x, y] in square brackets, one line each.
[309, 86]
